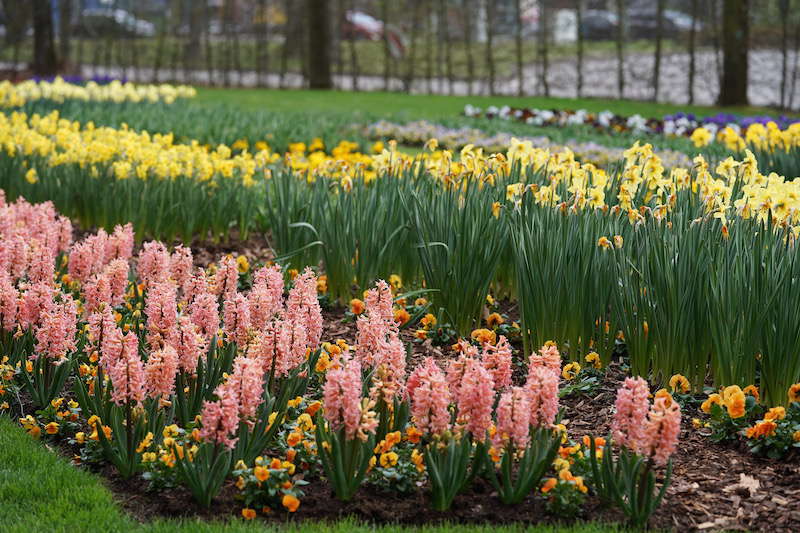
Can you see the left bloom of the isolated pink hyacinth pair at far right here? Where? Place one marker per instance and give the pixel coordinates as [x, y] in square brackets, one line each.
[630, 415]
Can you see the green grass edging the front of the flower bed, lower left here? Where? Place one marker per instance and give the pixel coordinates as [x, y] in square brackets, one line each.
[40, 491]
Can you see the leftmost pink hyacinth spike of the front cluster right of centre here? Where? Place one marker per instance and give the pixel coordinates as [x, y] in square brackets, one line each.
[430, 398]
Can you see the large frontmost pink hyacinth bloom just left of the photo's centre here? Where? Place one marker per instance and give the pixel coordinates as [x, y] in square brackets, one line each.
[342, 396]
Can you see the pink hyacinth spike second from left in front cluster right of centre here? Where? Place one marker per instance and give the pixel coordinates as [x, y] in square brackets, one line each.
[475, 399]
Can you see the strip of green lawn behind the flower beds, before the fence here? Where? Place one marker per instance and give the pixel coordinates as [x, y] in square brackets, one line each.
[431, 107]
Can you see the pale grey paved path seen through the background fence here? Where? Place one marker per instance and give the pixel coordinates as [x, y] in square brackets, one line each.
[600, 79]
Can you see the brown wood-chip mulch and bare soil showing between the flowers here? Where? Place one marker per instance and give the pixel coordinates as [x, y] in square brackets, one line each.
[714, 486]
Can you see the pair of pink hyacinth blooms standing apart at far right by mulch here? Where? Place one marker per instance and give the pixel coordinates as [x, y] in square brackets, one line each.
[652, 430]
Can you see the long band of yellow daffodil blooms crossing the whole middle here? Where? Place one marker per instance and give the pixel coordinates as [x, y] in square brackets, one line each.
[642, 180]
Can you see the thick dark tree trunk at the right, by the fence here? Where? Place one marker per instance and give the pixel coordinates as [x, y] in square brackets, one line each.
[735, 42]
